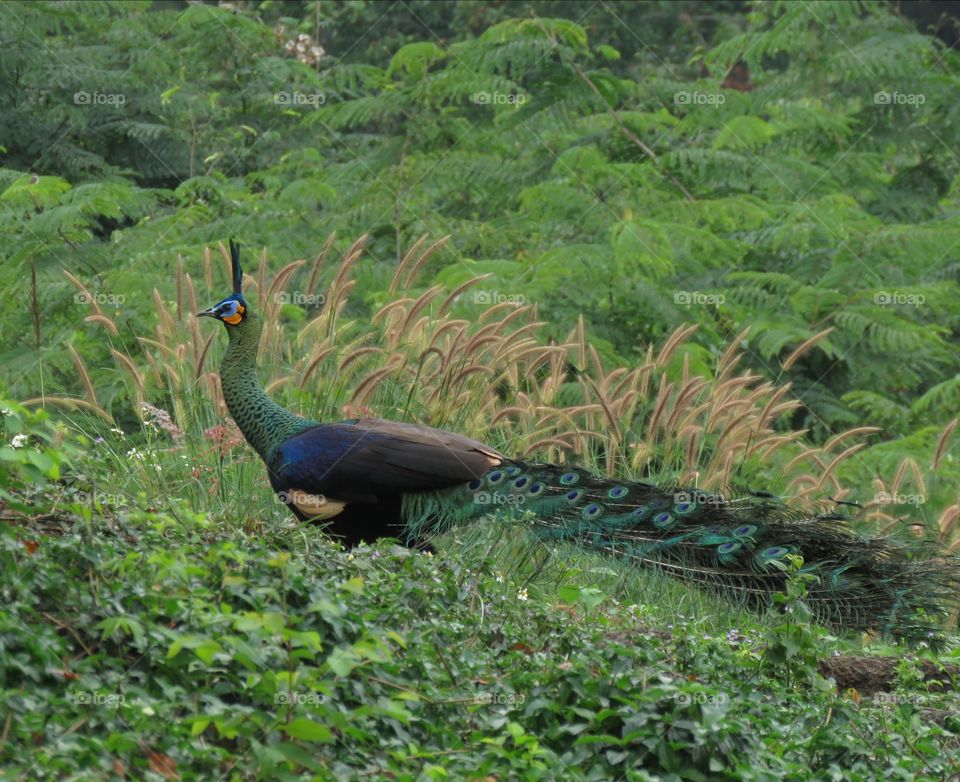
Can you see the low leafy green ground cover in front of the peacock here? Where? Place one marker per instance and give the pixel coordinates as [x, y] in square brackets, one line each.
[189, 645]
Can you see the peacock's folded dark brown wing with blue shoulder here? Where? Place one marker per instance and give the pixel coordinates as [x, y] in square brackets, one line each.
[363, 460]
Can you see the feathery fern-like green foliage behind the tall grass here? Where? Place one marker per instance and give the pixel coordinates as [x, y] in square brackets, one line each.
[821, 194]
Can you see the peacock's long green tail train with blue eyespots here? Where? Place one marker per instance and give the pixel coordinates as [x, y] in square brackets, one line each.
[738, 548]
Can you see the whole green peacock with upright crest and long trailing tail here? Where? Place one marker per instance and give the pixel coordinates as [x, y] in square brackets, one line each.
[369, 478]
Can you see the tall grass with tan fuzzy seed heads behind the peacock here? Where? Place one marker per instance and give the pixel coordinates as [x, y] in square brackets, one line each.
[433, 356]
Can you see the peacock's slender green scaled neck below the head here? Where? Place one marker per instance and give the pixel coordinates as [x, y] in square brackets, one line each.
[263, 422]
